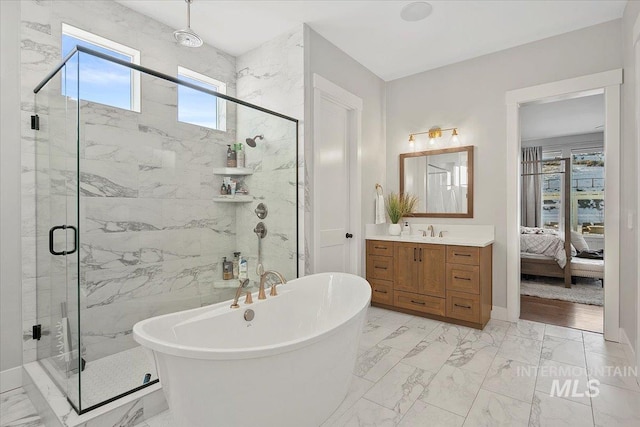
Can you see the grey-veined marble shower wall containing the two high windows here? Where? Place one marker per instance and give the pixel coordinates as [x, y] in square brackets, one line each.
[152, 238]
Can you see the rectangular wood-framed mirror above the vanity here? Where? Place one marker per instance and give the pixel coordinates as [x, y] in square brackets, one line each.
[441, 179]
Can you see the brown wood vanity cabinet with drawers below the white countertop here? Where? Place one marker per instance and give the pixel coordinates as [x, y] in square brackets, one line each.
[451, 283]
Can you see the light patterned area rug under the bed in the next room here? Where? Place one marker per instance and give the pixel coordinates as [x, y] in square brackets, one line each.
[585, 291]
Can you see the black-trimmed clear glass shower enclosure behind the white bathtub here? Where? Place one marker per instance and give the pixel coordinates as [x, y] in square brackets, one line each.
[133, 217]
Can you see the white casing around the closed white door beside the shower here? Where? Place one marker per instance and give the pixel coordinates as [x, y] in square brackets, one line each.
[325, 89]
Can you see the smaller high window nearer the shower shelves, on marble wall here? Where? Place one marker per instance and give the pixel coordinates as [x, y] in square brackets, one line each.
[199, 108]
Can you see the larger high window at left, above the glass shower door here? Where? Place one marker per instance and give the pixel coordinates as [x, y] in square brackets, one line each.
[103, 81]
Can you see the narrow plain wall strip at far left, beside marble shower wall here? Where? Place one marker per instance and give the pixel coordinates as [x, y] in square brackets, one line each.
[10, 263]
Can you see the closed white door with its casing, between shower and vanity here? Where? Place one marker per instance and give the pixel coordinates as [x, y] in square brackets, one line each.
[337, 237]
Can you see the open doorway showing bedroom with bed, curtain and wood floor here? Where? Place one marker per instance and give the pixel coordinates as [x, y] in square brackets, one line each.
[562, 194]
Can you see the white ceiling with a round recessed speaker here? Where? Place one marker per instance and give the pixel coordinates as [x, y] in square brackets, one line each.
[373, 33]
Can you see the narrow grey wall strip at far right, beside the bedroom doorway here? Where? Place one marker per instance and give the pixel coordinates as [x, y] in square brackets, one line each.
[629, 183]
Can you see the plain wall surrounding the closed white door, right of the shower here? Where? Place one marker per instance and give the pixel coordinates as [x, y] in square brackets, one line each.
[326, 60]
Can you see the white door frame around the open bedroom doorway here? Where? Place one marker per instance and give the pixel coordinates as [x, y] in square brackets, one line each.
[607, 82]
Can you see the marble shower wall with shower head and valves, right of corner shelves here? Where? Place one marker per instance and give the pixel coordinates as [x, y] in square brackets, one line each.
[272, 76]
